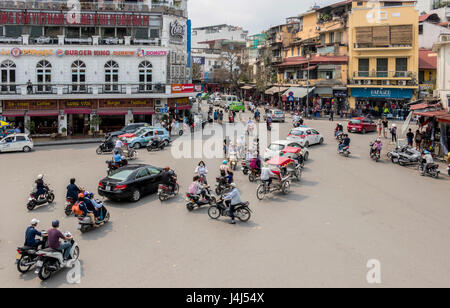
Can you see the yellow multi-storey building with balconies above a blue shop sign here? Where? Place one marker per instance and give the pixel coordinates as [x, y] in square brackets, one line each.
[383, 53]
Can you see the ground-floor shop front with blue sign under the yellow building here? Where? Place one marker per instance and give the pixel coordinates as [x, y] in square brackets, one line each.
[381, 102]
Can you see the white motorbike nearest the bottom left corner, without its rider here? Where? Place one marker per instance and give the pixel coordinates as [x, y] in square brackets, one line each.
[50, 261]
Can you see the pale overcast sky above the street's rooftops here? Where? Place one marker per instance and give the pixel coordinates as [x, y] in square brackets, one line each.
[252, 15]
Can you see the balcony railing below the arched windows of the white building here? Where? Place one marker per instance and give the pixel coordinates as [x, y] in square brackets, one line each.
[82, 88]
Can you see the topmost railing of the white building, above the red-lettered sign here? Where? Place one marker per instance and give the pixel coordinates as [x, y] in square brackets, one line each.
[61, 5]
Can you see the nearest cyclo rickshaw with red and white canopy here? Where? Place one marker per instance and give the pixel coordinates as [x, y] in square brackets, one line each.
[278, 166]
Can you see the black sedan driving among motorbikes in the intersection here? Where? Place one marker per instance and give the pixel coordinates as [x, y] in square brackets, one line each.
[132, 182]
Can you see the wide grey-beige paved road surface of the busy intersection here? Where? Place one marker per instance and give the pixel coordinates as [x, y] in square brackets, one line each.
[344, 212]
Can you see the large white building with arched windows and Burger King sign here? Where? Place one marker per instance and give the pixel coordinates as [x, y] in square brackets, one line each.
[120, 61]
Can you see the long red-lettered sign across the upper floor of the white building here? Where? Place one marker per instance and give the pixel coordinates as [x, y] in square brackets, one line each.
[60, 19]
